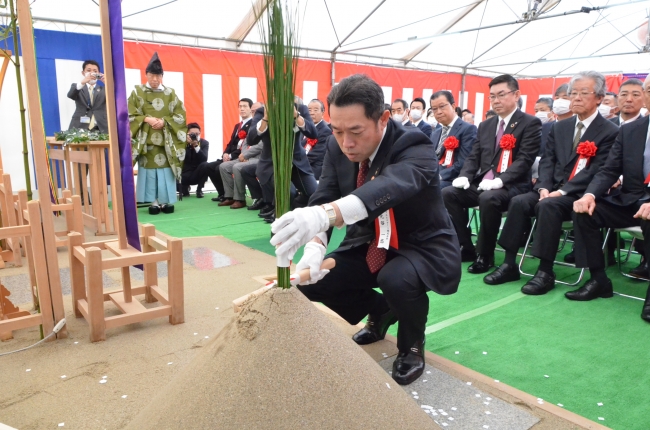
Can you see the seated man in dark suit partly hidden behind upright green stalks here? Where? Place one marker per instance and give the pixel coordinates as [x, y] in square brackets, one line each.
[302, 177]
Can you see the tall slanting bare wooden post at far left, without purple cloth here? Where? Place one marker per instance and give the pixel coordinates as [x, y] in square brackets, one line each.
[40, 158]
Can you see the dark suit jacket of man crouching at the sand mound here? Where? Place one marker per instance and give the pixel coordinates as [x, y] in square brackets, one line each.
[403, 176]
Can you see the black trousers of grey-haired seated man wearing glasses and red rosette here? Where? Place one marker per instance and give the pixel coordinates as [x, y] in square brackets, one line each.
[550, 213]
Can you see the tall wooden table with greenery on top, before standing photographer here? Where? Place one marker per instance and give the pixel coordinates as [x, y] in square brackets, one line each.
[72, 164]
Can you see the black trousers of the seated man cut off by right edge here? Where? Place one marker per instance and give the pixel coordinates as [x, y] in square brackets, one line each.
[588, 236]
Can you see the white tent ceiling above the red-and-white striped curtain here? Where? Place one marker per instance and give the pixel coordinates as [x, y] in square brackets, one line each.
[429, 34]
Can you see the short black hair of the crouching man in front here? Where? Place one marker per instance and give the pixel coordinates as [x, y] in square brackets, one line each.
[358, 89]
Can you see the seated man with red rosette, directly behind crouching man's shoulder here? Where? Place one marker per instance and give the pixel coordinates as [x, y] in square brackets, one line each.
[450, 160]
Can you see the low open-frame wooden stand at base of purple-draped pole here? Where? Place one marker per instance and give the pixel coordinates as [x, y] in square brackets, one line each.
[88, 298]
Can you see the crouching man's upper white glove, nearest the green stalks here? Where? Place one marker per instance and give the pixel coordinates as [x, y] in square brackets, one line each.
[294, 229]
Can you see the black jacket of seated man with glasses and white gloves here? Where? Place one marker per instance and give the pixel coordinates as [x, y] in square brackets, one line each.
[526, 129]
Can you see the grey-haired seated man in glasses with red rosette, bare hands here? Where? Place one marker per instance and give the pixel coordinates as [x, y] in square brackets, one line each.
[576, 149]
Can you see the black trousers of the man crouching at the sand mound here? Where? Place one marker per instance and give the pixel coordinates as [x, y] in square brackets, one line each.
[349, 291]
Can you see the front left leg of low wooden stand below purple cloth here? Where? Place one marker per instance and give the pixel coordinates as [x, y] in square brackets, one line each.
[95, 291]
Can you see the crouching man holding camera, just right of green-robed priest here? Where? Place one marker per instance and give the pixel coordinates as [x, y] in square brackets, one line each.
[196, 154]
